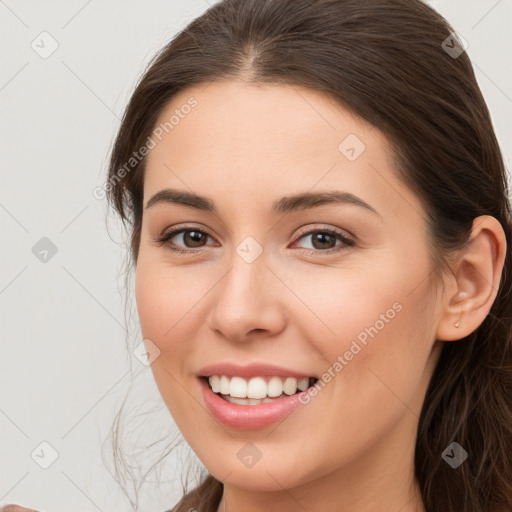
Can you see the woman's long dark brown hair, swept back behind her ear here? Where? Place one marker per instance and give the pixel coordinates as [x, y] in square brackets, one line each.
[388, 62]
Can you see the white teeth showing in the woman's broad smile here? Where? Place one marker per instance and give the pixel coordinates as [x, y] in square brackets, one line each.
[257, 388]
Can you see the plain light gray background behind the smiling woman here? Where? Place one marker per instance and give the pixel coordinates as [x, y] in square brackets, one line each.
[64, 367]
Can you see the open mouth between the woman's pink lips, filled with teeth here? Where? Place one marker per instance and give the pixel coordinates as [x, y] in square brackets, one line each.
[256, 390]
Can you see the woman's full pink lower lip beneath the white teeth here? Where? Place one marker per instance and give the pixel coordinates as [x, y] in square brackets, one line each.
[249, 417]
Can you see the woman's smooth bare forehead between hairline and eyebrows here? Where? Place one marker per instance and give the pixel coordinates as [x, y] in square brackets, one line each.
[278, 139]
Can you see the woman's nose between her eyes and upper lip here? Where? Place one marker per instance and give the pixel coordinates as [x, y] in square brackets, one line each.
[248, 302]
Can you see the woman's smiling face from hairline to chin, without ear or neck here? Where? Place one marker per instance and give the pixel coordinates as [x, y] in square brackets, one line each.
[339, 290]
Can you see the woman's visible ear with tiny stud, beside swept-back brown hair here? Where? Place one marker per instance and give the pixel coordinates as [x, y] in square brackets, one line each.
[476, 277]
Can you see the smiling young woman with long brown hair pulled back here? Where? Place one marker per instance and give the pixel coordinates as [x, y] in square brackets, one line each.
[321, 238]
